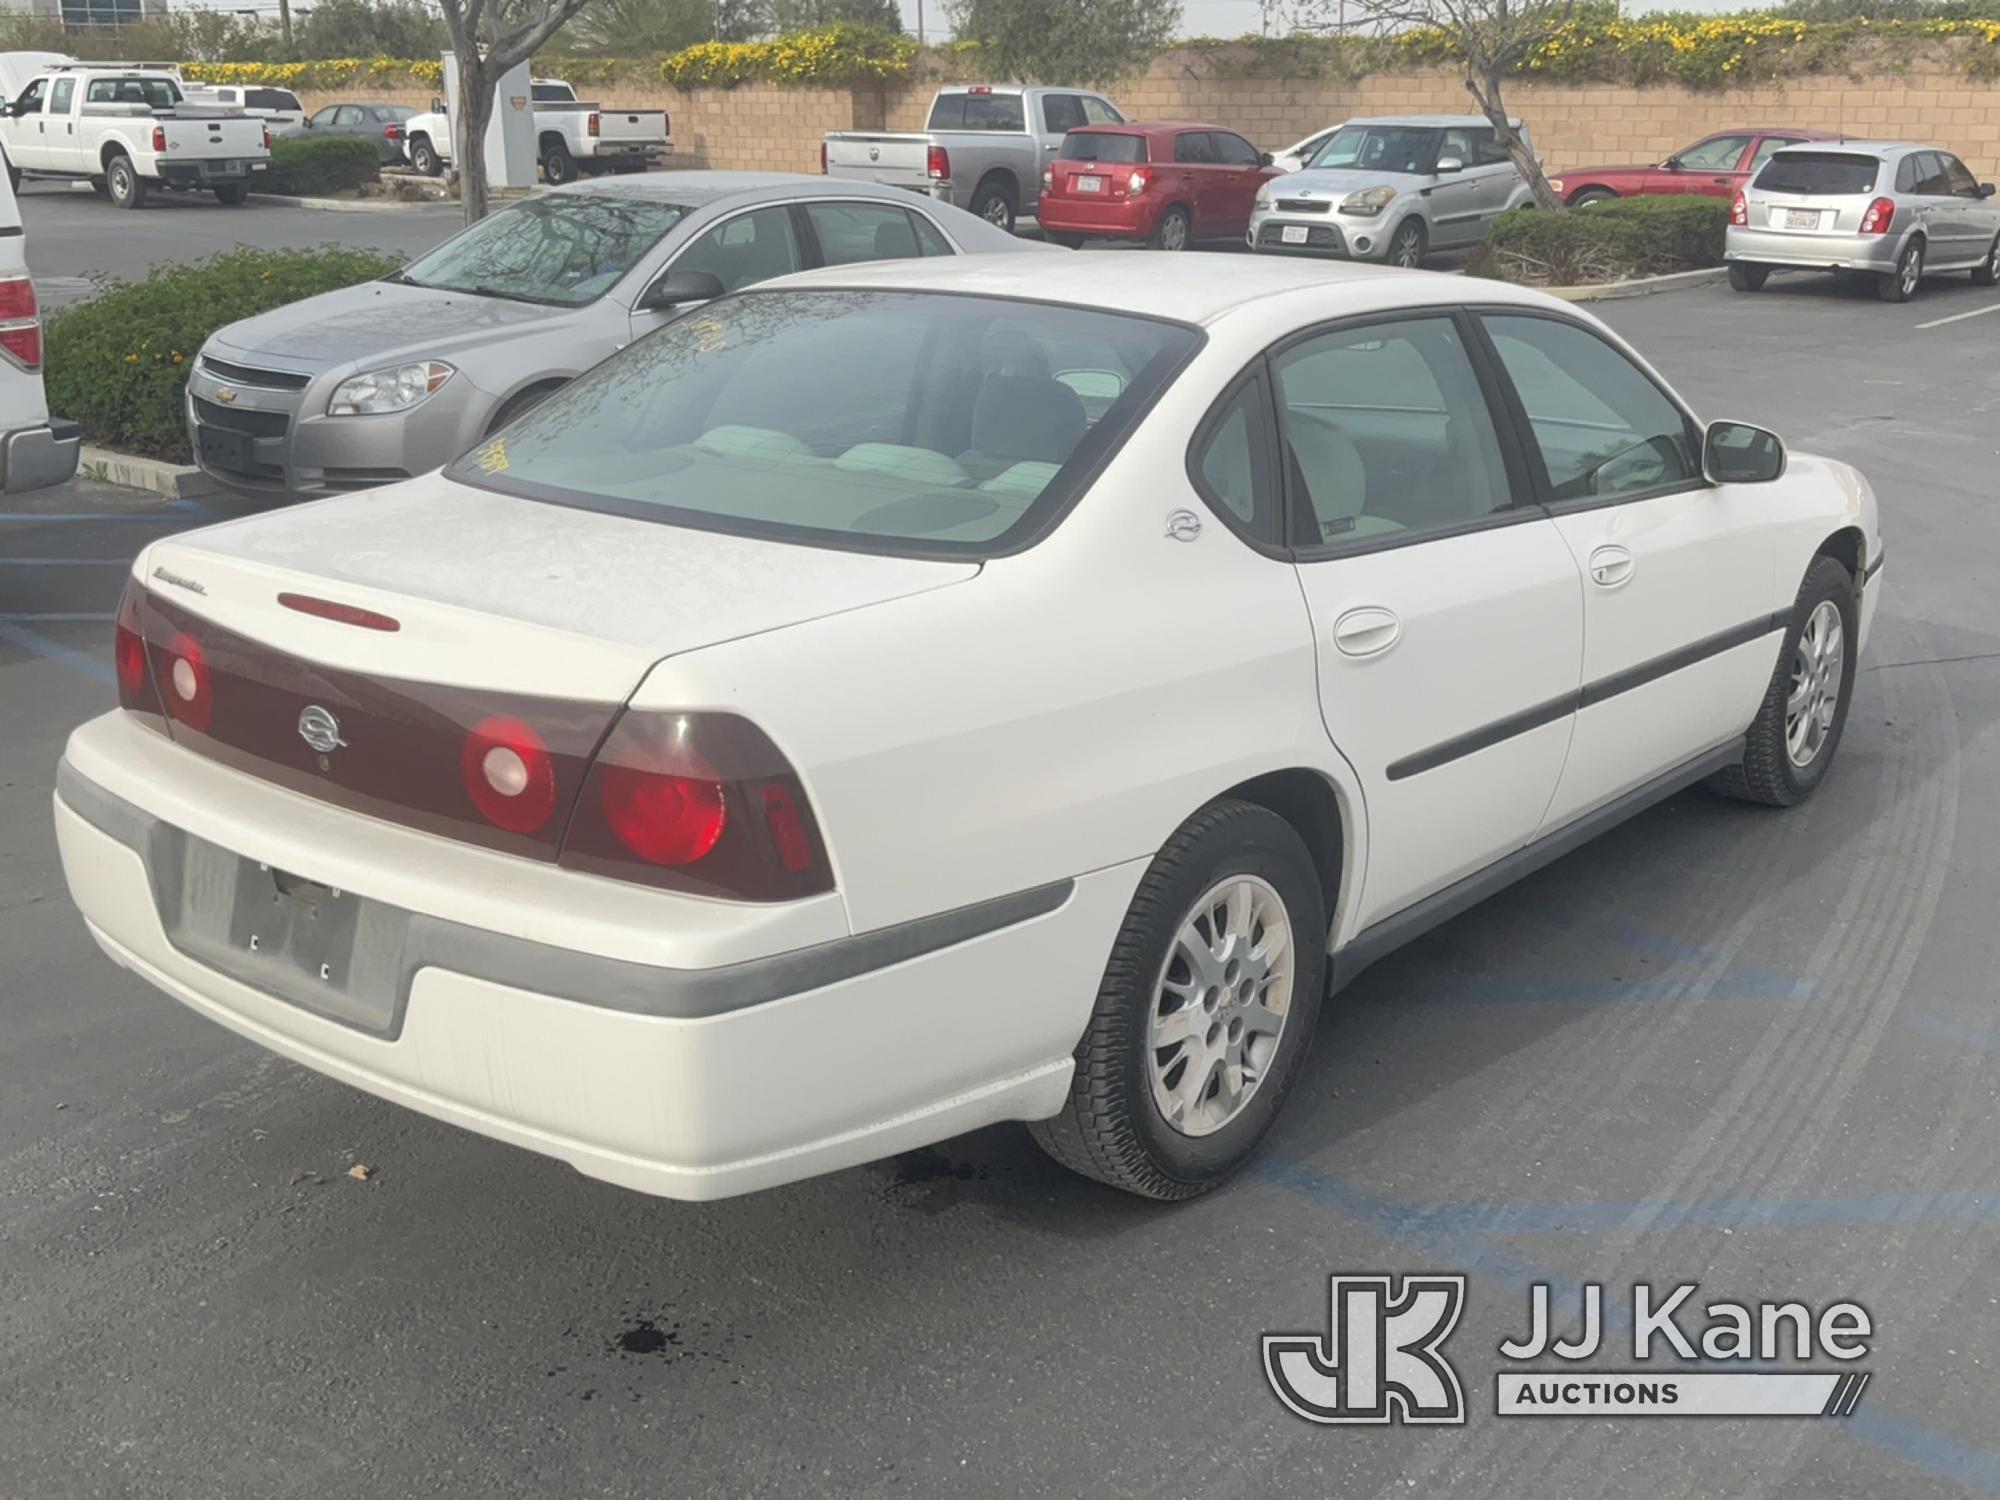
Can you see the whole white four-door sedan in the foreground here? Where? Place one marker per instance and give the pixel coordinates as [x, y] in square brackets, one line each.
[919, 695]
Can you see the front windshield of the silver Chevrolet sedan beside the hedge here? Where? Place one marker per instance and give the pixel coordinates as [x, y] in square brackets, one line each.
[565, 249]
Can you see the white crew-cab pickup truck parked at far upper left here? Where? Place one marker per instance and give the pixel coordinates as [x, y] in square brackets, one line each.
[129, 131]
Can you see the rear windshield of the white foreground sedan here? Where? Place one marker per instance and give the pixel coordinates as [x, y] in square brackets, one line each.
[875, 421]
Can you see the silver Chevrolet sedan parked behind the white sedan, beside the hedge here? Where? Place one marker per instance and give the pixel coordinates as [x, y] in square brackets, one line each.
[397, 377]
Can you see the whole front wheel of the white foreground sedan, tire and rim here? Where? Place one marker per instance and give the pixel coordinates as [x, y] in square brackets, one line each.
[1799, 727]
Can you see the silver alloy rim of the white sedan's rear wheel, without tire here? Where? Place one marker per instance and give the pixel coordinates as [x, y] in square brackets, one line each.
[1221, 1005]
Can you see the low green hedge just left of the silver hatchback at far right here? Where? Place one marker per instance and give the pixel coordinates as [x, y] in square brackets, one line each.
[1607, 243]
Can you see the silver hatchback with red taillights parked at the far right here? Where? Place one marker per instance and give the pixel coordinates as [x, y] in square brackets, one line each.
[1889, 209]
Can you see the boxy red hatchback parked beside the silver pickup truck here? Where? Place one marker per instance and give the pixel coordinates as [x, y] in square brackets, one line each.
[1169, 185]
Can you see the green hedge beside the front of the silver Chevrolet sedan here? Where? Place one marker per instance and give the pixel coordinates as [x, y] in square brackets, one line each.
[119, 363]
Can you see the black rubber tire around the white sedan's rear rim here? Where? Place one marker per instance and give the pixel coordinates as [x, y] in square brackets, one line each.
[1111, 1129]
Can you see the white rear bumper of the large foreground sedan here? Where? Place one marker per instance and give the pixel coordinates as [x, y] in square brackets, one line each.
[801, 1077]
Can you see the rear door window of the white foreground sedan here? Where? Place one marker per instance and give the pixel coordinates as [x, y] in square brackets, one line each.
[1387, 431]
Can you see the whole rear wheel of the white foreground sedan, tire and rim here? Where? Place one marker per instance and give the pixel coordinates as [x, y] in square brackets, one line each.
[1205, 1013]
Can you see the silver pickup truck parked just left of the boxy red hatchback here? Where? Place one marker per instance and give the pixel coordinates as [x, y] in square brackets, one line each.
[983, 149]
